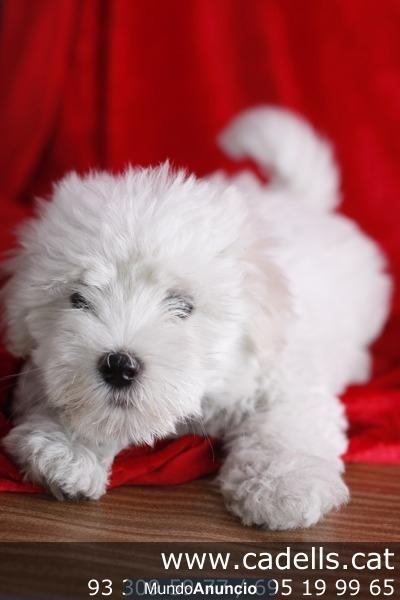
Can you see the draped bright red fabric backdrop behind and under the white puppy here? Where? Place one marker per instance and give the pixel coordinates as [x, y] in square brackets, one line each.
[97, 83]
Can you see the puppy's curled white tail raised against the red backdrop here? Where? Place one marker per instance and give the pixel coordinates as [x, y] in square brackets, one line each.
[289, 149]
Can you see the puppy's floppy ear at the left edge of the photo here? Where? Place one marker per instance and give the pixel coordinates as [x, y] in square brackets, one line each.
[14, 298]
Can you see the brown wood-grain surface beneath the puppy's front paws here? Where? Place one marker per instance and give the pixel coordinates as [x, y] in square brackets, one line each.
[195, 511]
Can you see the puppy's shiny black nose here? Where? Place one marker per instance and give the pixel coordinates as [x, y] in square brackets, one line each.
[119, 369]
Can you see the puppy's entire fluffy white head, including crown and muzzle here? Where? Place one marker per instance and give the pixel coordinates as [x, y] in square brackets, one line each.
[132, 298]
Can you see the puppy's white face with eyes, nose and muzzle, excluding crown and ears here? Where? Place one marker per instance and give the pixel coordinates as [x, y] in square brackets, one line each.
[127, 355]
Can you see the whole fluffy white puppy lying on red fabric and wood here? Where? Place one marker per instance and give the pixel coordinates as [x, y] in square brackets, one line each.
[149, 301]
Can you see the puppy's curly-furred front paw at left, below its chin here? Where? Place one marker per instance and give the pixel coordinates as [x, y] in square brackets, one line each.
[68, 471]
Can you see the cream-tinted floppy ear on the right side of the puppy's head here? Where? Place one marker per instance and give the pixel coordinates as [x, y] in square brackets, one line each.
[268, 301]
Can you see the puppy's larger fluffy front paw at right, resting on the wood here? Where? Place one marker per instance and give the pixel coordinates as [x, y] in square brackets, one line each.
[282, 494]
